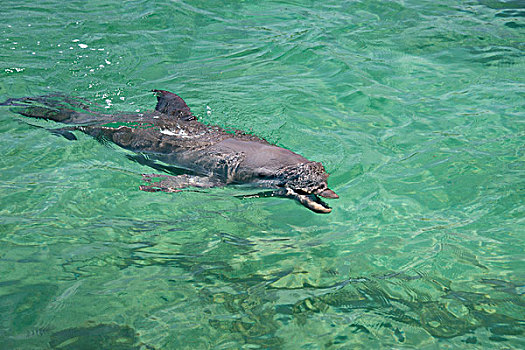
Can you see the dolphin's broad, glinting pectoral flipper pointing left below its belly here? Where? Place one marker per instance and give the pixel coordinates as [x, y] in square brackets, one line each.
[170, 183]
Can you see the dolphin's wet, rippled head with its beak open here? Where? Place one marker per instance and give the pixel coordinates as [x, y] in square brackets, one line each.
[306, 182]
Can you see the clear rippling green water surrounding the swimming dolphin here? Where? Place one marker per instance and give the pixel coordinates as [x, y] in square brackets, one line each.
[415, 108]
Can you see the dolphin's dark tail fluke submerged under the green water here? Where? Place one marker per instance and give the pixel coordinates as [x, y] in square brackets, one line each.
[58, 108]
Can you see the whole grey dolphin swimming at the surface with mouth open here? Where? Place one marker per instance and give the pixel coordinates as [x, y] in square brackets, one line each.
[210, 156]
